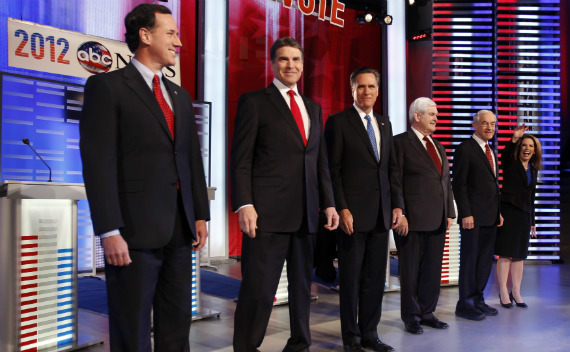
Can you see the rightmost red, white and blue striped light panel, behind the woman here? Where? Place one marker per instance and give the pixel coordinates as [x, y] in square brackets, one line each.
[528, 90]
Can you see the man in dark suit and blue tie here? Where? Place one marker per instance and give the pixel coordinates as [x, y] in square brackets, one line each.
[368, 196]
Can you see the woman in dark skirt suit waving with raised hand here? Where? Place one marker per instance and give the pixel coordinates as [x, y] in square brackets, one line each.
[521, 160]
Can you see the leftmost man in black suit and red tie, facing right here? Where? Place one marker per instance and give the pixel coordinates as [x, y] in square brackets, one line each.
[146, 187]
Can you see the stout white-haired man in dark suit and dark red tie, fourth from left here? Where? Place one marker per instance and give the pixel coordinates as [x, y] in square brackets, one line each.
[429, 210]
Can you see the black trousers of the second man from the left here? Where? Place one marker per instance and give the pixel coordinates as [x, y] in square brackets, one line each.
[262, 263]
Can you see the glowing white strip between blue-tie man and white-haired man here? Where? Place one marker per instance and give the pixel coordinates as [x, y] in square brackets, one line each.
[397, 109]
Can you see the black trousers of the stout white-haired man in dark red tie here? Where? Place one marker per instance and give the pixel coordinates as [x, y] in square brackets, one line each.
[419, 258]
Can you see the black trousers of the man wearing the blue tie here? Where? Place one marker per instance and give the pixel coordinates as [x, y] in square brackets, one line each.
[362, 259]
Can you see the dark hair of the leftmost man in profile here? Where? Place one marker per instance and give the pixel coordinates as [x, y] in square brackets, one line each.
[142, 16]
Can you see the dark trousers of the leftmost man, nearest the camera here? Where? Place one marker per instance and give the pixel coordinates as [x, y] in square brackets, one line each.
[159, 280]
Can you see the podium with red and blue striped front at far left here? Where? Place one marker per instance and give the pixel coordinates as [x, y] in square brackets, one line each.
[38, 267]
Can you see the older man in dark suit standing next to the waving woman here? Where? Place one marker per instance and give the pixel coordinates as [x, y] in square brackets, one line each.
[476, 190]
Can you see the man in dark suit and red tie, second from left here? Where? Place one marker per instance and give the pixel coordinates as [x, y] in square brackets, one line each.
[279, 180]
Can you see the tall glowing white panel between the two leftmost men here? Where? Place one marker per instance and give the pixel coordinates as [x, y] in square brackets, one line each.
[215, 91]
